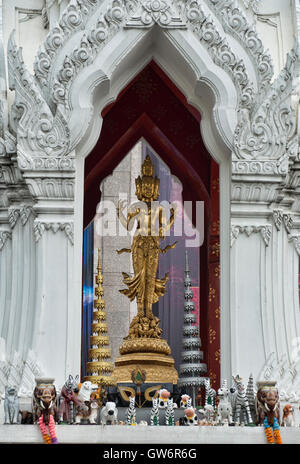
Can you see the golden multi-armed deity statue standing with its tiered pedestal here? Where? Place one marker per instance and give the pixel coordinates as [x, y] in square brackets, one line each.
[144, 338]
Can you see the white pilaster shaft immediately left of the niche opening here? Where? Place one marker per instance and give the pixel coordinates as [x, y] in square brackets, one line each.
[52, 337]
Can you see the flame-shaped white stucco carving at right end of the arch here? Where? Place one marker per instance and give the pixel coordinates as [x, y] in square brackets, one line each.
[269, 132]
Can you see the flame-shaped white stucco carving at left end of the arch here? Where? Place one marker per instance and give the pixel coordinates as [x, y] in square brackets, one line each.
[42, 137]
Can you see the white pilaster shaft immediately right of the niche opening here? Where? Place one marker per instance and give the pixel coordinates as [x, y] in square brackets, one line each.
[248, 261]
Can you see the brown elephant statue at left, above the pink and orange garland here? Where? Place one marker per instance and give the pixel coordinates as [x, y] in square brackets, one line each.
[44, 402]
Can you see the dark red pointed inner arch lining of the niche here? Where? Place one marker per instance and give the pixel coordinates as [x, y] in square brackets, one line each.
[152, 108]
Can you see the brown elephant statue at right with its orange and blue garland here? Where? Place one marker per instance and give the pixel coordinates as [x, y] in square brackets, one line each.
[268, 410]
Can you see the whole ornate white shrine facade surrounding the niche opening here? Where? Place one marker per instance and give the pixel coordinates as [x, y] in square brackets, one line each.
[62, 63]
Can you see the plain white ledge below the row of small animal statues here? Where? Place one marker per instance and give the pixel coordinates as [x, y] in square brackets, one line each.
[97, 434]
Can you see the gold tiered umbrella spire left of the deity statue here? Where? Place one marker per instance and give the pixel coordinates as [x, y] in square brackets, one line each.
[99, 368]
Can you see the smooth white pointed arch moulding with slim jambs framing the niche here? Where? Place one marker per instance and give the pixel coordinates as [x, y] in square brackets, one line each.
[203, 84]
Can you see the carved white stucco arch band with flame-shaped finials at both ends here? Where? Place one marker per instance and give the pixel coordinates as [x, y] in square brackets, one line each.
[261, 134]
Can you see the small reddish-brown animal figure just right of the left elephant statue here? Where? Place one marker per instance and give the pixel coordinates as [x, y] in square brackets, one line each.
[68, 397]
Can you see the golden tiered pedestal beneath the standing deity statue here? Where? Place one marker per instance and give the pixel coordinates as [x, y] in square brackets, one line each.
[151, 356]
